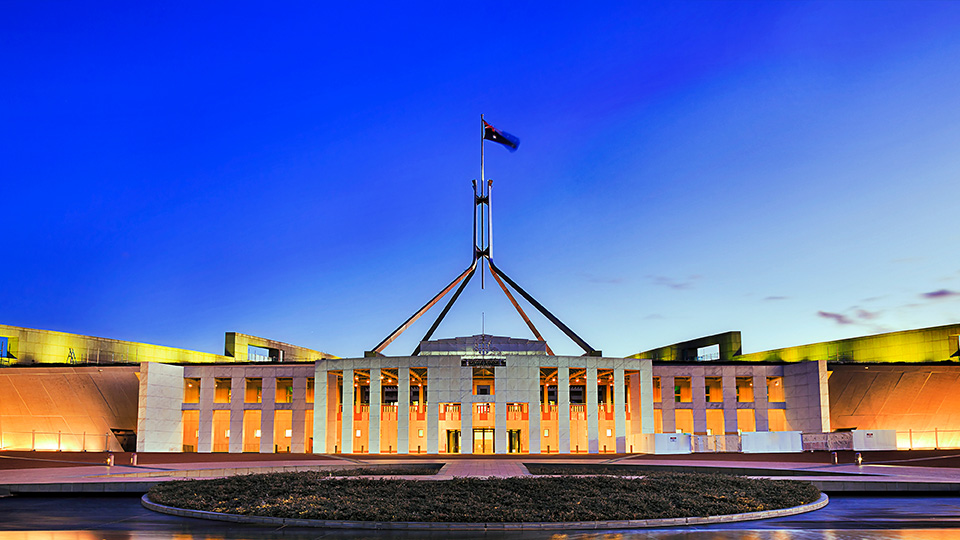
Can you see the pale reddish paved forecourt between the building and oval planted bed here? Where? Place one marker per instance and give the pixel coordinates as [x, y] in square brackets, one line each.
[76, 476]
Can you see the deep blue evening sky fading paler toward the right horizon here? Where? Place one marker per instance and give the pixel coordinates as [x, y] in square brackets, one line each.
[302, 172]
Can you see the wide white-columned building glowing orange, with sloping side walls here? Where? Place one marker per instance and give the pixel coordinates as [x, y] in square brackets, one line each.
[265, 396]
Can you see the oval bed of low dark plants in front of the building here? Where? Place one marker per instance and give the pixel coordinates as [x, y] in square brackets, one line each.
[310, 495]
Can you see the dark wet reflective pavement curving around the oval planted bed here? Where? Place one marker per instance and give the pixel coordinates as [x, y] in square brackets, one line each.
[122, 517]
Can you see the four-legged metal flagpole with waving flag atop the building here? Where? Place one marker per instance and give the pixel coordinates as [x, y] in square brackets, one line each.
[483, 254]
